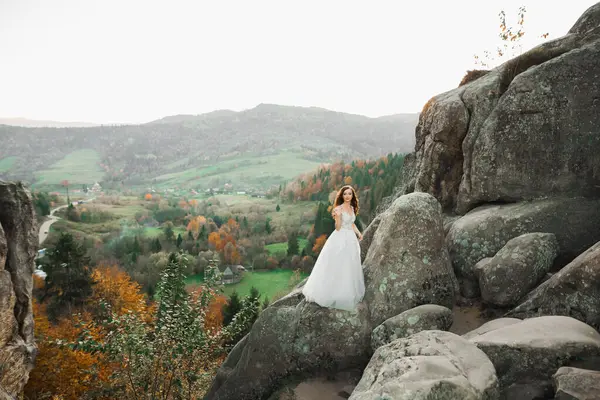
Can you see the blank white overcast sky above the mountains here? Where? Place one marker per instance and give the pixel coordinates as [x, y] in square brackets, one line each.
[128, 61]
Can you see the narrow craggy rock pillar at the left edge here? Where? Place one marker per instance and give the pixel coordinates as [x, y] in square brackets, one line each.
[18, 246]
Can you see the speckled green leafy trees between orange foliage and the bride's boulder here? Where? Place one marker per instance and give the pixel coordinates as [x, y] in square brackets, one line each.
[172, 356]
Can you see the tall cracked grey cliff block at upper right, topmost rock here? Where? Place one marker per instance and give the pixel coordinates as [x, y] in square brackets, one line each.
[527, 129]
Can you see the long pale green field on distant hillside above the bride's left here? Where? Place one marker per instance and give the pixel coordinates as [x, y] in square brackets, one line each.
[240, 171]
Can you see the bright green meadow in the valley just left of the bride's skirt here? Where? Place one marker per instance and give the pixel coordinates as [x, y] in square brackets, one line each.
[268, 283]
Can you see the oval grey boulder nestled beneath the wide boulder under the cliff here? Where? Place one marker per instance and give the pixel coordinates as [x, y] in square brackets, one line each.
[517, 268]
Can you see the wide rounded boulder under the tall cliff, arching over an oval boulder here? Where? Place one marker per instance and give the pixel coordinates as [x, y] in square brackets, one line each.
[485, 230]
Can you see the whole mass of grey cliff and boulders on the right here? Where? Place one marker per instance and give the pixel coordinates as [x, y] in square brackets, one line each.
[500, 201]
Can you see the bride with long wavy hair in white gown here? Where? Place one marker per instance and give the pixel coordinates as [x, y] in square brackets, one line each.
[336, 280]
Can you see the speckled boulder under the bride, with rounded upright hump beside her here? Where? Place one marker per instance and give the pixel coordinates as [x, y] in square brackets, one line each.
[407, 265]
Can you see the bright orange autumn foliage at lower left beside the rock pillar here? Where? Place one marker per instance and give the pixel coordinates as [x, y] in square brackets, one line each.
[70, 374]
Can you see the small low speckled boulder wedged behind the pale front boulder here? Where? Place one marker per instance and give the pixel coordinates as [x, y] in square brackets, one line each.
[422, 318]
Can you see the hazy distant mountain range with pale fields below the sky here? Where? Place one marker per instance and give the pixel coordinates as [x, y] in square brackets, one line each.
[254, 147]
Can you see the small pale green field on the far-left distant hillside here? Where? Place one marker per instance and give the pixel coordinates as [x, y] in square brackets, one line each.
[79, 167]
